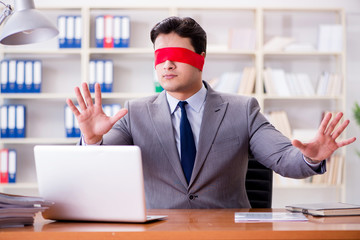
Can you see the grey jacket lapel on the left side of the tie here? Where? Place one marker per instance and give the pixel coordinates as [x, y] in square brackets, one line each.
[161, 120]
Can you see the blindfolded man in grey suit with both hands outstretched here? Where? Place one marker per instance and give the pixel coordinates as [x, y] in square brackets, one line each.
[195, 142]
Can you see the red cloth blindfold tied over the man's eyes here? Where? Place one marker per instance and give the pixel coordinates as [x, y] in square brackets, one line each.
[179, 55]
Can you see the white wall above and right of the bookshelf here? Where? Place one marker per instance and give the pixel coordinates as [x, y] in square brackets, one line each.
[352, 8]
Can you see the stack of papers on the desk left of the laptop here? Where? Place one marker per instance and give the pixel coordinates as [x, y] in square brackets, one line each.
[18, 211]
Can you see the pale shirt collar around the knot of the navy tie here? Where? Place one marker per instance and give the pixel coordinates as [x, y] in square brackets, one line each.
[195, 101]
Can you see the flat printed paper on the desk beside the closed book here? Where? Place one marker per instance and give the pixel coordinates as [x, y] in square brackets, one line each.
[268, 217]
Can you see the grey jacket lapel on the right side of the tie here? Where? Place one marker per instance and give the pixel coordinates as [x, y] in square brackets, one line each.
[214, 112]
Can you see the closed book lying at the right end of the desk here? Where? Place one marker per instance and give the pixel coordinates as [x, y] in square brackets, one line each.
[326, 209]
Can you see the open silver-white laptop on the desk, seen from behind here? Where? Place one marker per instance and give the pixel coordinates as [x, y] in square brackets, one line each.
[92, 183]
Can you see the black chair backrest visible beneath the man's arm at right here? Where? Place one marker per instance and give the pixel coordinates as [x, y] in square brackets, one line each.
[258, 184]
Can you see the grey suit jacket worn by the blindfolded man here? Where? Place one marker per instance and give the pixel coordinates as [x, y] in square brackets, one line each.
[232, 128]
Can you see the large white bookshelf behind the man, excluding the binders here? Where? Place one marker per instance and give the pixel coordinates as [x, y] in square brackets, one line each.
[63, 69]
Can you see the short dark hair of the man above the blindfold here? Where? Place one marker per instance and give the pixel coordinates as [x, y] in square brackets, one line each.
[184, 27]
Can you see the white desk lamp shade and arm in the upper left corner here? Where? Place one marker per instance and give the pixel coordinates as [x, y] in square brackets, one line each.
[26, 25]
